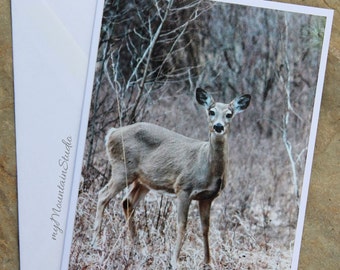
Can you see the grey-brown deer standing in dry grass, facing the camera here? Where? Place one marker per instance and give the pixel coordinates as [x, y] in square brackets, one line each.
[147, 156]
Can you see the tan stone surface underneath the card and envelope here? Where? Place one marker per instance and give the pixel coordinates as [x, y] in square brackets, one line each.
[321, 236]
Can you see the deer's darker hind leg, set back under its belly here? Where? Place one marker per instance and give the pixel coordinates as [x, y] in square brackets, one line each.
[136, 194]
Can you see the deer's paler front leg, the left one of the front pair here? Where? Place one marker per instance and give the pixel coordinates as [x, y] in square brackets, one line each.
[183, 203]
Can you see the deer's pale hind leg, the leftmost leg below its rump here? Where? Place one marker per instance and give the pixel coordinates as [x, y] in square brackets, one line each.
[116, 184]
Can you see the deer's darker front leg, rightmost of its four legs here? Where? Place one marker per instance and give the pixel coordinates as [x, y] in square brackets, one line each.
[204, 207]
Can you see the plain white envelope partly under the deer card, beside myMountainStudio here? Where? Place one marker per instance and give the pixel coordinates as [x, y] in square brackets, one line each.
[51, 46]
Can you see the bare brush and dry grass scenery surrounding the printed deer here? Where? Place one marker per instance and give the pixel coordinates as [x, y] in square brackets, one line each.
[152, 55]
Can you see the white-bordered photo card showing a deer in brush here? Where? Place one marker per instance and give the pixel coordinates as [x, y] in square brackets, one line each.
[197, 136]
